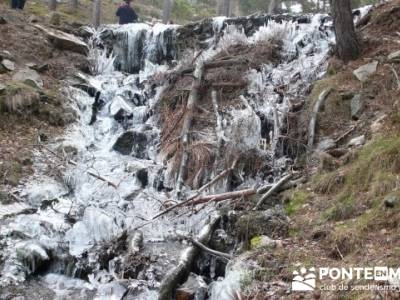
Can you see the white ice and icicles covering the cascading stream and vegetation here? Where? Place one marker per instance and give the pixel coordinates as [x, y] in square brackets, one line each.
[79, 216]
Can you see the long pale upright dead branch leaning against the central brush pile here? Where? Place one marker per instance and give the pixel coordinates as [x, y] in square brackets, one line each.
[187, 123]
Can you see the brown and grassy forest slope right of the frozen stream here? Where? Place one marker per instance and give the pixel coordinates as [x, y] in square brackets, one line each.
[348, 212]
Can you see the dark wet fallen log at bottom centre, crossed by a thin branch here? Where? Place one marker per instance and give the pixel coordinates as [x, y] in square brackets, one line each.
[180, 273]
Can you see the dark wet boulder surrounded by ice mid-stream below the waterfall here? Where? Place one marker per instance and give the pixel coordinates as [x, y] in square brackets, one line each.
[132, 142]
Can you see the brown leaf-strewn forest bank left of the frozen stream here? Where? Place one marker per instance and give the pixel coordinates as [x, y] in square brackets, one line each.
[41, 111]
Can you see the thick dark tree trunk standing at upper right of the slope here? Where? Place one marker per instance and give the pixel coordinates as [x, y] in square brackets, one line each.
[347, 44]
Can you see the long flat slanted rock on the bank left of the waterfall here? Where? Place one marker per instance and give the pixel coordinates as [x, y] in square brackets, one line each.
[64, 41]
